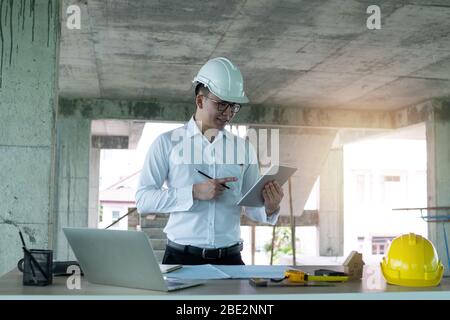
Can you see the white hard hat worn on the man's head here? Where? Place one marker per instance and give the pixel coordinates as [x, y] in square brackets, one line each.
[223, 79]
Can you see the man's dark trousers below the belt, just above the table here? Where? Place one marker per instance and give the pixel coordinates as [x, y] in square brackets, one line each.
[174, 256]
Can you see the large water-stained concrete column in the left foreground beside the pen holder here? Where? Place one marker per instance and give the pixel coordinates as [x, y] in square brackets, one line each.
[29, 44]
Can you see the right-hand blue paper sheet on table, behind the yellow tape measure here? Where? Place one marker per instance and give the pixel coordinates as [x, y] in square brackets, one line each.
[254, 271]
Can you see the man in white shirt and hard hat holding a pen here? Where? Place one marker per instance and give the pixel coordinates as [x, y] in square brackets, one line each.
[206, 170]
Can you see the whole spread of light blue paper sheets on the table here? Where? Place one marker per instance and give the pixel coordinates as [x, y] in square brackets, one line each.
[210, 272]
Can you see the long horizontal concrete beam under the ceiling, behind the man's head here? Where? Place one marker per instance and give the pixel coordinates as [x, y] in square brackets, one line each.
[256, 115]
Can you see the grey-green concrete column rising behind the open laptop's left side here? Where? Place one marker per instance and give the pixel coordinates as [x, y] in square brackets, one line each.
[72, 196]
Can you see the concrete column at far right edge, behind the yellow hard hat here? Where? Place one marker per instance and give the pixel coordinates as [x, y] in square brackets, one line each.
[438, 174]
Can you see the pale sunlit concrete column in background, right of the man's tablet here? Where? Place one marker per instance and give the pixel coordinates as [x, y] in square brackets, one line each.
[331, 210]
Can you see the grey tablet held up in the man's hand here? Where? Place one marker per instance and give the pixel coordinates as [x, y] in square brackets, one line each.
[253, 197]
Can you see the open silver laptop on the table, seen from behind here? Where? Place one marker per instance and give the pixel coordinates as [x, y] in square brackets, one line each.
[120, 258]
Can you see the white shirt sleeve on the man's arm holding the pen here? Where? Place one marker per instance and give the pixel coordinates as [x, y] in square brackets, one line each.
[151, 197]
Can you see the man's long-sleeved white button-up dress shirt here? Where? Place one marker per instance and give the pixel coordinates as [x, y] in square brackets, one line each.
[173, 159]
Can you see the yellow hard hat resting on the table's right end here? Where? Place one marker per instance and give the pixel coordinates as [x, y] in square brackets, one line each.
[412, 261]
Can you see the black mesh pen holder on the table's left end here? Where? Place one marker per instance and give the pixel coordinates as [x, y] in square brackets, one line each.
[37, 267]
